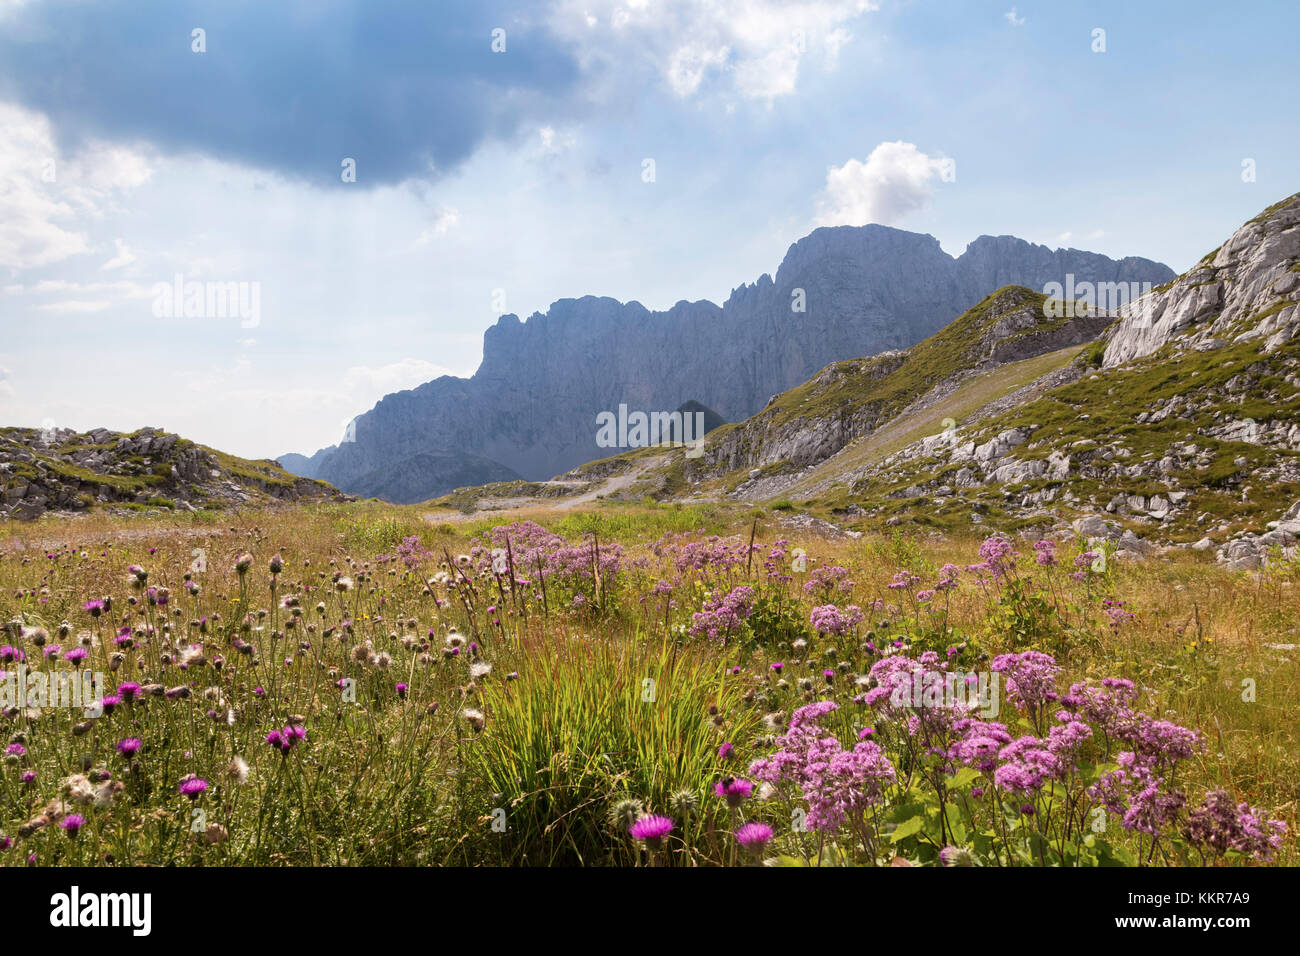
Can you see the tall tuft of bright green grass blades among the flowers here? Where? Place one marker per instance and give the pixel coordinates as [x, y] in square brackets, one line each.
[592, 724]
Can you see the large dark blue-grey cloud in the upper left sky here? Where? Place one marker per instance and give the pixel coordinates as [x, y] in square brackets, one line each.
[401, 88]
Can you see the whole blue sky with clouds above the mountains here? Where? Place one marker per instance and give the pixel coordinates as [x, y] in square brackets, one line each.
[489, 180]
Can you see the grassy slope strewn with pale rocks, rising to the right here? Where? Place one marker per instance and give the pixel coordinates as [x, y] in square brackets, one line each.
[1175, 423]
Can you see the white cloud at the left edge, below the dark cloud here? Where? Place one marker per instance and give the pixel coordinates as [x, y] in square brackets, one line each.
[47, 197]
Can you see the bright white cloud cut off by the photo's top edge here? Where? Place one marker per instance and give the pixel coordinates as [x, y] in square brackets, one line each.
[760, 44]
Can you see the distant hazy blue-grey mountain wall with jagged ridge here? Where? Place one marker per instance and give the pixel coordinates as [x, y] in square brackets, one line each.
[840, 293]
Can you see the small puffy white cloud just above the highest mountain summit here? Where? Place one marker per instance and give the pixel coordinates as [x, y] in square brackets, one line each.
[895, 181]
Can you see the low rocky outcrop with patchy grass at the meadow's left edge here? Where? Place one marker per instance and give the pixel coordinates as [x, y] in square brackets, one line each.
[150, 470]
